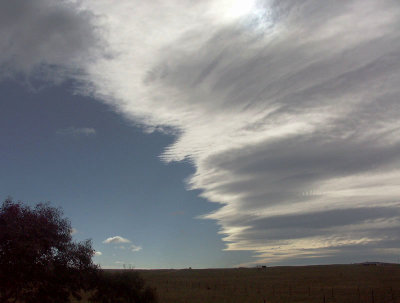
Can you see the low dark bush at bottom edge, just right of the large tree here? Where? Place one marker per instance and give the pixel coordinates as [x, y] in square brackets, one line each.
[122, 286]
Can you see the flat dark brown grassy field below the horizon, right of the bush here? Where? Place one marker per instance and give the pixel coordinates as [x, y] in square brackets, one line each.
[333, 283]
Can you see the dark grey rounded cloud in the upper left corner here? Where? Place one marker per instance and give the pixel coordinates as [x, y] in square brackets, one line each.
[43, 34]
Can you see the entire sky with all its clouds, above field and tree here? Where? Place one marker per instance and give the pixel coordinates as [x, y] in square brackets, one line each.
[207, 133]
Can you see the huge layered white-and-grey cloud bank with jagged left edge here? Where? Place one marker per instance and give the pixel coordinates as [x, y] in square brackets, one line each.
[288, 110]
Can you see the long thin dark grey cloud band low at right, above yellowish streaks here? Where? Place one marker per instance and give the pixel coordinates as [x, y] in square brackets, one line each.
[277, 229]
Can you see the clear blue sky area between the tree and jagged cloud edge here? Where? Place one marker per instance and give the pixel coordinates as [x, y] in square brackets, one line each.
[108, 183]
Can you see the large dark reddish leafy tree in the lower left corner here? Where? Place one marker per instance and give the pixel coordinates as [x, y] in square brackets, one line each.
[39, 262]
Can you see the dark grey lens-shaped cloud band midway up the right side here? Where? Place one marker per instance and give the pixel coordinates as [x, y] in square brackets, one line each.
[292, 155]
